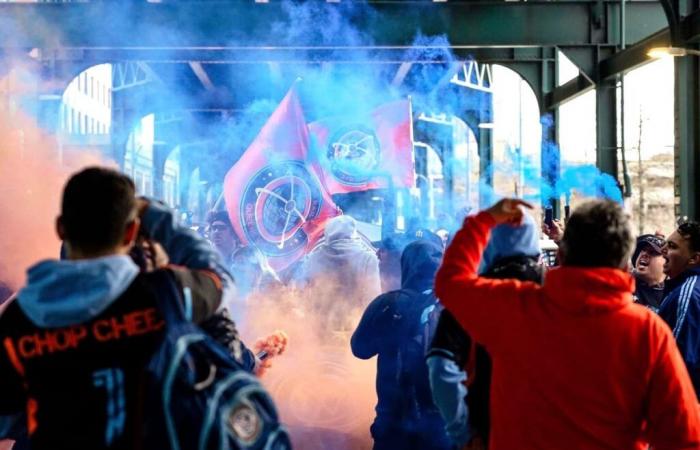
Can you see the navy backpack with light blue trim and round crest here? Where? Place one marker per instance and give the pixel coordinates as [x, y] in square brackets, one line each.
[196, 395]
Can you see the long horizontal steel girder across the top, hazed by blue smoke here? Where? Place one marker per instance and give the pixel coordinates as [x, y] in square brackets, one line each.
[140, 27]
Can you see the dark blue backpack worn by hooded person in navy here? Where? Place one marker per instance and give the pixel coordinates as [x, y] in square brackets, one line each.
[418, 322]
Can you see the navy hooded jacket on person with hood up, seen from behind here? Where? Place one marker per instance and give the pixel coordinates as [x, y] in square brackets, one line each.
[383, 329]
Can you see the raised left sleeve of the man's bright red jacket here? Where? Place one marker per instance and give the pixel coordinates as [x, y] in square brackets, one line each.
[484, 307]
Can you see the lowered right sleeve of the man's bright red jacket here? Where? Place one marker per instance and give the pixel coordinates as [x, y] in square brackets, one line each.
[673, 416]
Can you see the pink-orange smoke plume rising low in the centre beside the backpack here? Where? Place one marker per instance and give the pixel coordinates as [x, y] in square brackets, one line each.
[324, 394]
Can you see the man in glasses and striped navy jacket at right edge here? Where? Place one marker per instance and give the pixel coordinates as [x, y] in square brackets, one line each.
[681, 305]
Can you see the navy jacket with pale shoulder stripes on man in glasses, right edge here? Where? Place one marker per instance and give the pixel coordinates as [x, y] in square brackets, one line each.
[681, 311]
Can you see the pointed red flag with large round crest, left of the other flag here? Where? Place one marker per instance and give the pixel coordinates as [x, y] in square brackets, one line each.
[273, 199]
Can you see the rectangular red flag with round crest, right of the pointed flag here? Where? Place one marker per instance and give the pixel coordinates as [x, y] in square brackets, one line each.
[356, 154]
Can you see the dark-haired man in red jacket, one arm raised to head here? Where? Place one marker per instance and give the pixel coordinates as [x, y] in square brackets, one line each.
[576, 364]
